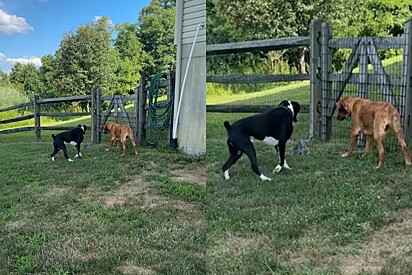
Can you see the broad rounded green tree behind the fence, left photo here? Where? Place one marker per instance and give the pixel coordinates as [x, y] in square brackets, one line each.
[86, 59]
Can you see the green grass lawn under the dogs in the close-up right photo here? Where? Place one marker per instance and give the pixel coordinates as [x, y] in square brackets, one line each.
[326, 216]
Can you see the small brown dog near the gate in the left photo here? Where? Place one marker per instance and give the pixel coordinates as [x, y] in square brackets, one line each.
[120, 133]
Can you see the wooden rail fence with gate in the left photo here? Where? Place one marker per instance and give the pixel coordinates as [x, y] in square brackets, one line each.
[135, 118]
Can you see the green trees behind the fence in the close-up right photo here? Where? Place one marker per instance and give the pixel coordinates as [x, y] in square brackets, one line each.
[243, 20]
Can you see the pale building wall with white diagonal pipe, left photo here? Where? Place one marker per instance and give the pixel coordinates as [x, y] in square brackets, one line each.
[191, 127]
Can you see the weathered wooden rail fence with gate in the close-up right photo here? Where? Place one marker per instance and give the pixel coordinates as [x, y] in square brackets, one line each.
[323, 80]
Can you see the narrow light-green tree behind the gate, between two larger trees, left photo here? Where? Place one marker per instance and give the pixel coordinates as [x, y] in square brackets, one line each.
[130, 58]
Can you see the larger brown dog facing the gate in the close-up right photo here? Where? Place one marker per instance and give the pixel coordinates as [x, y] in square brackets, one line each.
[374, 119]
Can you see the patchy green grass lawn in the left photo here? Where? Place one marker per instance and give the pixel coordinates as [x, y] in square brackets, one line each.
[102, 213]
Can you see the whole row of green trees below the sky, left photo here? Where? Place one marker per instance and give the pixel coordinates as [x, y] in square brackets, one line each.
[90, 56]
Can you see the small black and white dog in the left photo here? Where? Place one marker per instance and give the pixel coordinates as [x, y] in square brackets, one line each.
[74, 137]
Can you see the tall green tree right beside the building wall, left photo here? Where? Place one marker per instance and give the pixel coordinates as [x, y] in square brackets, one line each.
[156, 33]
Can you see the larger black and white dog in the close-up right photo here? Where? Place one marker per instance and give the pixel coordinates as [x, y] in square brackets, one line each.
[274, 127]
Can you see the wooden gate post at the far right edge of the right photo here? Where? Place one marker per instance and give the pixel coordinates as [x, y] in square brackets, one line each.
[407, 83]
